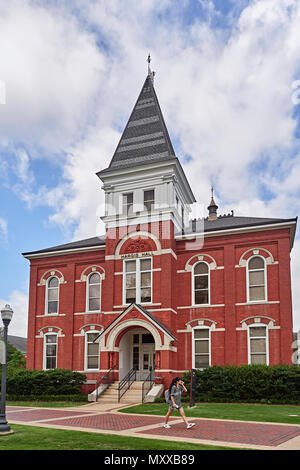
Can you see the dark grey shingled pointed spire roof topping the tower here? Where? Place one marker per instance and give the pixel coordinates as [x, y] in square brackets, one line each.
[145, 138]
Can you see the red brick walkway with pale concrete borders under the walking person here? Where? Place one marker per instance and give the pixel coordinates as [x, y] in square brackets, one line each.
[105, 419]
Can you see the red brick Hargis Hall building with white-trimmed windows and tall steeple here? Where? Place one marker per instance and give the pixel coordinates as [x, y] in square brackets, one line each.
[160, 290]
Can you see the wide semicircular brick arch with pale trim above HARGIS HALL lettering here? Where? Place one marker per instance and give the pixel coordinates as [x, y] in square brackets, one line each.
[136, 242]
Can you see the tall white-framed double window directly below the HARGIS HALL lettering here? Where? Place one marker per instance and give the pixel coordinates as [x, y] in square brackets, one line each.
[138, 281]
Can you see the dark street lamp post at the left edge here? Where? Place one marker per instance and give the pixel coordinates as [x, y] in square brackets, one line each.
[6, 315]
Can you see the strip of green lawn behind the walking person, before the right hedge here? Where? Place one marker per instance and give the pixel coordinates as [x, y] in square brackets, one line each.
[234, 411]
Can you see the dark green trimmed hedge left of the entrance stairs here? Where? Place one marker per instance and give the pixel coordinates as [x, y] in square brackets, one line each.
[52, 382]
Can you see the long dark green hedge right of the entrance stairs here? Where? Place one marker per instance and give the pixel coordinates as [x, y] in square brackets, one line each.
[248, 383]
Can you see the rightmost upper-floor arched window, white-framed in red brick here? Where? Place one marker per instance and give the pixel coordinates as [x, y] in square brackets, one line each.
[256, 279]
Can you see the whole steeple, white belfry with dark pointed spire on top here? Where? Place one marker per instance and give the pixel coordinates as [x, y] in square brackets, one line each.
[145, 182]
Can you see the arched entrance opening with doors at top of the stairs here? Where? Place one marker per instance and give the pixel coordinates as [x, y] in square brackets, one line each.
[136, 349]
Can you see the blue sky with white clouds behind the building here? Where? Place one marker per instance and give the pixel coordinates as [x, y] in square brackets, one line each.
[226, 78]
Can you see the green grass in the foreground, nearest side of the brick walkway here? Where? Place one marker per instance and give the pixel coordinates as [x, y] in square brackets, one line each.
[38, 438]
